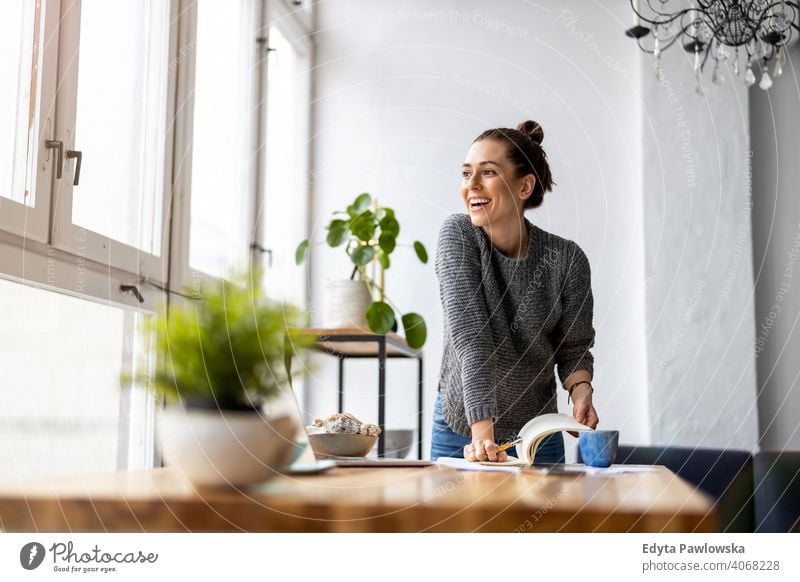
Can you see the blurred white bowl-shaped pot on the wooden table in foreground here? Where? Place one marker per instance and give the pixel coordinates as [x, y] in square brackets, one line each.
[213, 448]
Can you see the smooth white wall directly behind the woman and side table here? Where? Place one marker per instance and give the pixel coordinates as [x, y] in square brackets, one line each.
[403, 88]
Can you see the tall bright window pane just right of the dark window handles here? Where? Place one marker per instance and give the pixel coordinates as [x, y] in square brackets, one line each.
[128, 153]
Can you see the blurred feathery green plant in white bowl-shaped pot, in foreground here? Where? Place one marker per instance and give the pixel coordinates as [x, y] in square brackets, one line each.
[221, 361]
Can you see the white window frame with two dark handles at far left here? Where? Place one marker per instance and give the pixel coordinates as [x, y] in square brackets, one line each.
[39, 245]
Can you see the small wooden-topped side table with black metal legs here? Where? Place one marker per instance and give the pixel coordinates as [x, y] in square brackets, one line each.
[352, 342]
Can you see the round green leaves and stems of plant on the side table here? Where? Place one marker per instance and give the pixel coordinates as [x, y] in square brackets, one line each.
[369, 234]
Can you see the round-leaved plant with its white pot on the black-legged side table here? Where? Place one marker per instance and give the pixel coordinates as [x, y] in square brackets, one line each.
[369, 235]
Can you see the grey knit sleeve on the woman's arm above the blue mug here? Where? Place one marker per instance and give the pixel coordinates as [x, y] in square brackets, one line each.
[574, 334]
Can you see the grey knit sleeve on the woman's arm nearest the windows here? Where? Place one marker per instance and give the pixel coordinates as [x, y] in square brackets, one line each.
[458, 268]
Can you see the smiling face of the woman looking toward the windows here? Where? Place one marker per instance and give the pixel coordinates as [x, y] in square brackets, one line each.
[489, 188]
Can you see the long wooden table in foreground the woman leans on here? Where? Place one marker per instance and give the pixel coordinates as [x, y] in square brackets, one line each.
[430, 499]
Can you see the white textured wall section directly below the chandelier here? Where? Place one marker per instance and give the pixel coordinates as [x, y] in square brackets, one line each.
[697, 208]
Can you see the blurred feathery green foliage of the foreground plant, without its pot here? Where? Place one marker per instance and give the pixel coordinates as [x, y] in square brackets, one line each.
[228, 346]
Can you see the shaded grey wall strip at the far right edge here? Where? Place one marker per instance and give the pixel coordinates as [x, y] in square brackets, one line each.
[775, 126]
